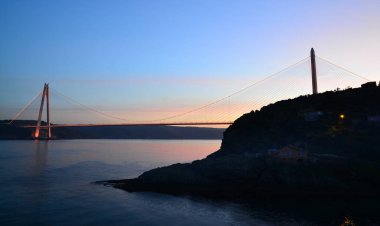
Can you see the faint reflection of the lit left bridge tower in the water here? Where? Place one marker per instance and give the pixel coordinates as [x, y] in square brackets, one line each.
[40, 156]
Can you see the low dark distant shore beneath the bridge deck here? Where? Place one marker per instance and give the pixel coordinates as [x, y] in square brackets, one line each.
[16, 131]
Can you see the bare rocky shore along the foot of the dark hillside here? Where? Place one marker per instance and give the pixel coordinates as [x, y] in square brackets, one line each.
[209, 178]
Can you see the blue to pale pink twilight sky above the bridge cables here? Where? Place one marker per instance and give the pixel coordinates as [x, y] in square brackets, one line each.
[148, 59]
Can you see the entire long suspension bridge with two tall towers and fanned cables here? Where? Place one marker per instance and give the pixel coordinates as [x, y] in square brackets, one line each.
[280, 85]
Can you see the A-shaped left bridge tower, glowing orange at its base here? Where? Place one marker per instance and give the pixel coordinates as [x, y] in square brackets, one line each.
[39, 134]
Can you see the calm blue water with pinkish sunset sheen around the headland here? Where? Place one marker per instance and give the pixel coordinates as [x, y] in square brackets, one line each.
[50, 183]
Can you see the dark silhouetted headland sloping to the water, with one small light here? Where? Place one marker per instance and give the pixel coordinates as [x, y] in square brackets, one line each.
[339, 130]
